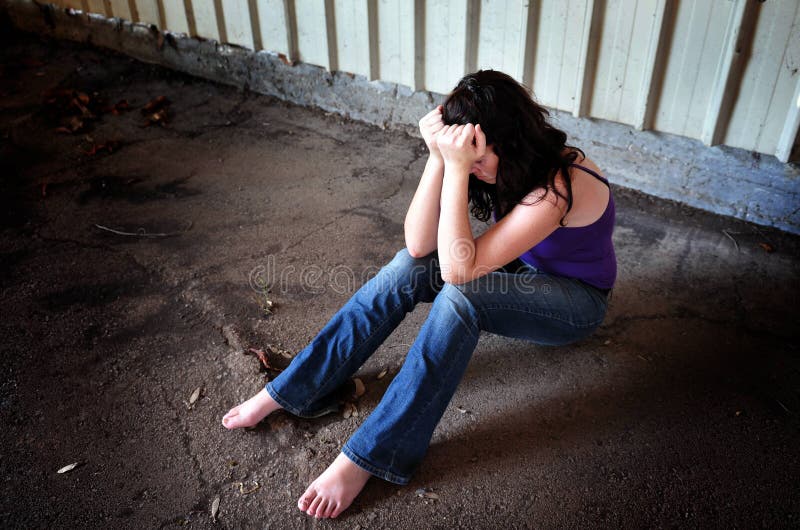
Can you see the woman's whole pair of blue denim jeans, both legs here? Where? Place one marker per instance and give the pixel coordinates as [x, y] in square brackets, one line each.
[392, 441]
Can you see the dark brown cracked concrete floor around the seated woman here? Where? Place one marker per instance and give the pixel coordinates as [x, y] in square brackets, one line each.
[681, 411]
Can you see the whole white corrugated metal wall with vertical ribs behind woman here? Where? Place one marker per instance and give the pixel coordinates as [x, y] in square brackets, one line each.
[722, 71]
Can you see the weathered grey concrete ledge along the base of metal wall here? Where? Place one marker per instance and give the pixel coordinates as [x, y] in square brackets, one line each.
[719, 179]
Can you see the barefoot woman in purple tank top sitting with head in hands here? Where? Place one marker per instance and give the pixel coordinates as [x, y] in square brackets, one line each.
[491, 147]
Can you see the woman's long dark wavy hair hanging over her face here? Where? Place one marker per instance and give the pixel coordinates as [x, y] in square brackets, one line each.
[531, 151]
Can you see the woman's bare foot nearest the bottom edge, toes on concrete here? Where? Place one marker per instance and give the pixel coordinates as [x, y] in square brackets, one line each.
[334, 490]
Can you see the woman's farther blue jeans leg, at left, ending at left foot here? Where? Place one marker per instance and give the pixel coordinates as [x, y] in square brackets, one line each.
[307, 387]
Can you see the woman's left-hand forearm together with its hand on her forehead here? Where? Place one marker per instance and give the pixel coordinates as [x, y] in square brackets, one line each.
[422, 218]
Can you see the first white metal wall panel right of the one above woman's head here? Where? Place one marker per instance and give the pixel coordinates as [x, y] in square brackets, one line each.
[558, 47]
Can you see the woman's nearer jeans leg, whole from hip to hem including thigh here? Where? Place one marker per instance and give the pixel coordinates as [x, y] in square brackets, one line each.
[532, 305]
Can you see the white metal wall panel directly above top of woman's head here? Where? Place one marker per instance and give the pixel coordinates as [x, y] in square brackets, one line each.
[502, 34]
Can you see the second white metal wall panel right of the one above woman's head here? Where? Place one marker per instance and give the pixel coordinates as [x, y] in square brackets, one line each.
[627, 31]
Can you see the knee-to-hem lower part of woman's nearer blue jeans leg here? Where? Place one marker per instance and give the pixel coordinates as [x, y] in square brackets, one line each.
[394, 438]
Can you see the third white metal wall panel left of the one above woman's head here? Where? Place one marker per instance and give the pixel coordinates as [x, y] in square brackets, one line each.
[352, 36]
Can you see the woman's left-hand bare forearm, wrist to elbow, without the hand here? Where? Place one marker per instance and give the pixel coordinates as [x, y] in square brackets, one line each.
[422, 219]
